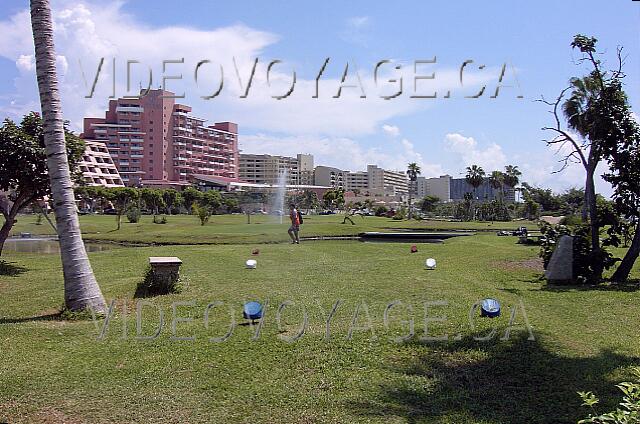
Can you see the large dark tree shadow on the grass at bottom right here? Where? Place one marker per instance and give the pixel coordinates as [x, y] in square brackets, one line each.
[509, 382]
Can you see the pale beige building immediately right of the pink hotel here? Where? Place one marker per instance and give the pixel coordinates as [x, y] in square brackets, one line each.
[267, 169]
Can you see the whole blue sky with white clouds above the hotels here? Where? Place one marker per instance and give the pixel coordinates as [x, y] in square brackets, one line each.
[443, 135]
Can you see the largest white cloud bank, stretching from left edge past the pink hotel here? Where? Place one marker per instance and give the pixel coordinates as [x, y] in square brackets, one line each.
[86, 32]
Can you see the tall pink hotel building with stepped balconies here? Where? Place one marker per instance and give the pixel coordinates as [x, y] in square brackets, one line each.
[155, 141]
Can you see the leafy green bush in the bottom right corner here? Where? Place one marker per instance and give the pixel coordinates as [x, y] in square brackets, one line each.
[629, 413]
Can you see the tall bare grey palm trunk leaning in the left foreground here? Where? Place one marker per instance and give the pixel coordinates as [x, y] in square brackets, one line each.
[81, 290]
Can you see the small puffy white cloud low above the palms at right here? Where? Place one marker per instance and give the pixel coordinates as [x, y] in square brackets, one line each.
[490, 158]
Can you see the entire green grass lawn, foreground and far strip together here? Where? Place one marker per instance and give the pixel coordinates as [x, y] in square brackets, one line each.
[58, 371]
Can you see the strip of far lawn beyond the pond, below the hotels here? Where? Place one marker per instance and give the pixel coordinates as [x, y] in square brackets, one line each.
[233, 229]
